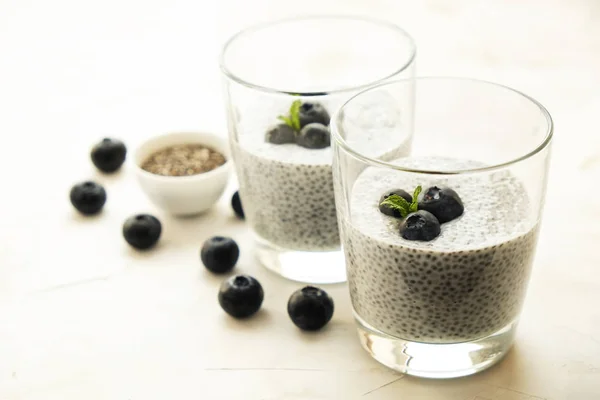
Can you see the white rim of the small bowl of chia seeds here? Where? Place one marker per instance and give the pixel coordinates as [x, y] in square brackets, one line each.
[201, 176]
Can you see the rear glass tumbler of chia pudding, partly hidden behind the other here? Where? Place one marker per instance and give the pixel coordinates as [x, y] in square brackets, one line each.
[279, 78]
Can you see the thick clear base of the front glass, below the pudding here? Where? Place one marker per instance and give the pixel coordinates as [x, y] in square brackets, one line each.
[429, 360]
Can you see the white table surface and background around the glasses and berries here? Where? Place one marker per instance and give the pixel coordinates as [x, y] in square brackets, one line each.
[84, 317]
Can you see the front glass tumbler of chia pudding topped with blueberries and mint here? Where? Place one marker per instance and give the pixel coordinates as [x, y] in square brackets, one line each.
[438, 292]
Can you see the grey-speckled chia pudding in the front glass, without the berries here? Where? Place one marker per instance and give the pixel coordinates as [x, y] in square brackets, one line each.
[467, 283]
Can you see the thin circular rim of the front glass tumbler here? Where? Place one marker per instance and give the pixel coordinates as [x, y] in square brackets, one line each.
[340, 141]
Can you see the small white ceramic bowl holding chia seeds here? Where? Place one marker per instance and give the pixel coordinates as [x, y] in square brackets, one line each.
[183, 195]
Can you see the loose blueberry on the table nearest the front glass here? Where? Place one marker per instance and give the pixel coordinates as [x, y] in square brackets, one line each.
[310, 308]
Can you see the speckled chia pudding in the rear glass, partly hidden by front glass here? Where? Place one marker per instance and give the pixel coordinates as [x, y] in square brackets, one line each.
[287, 190]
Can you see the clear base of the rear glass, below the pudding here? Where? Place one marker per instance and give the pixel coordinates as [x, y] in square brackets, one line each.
[317, 267]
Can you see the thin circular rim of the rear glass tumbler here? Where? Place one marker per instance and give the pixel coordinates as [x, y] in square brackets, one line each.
[257, 27]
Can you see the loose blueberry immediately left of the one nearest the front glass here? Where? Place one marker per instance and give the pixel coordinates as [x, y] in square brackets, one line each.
[241, 296]
